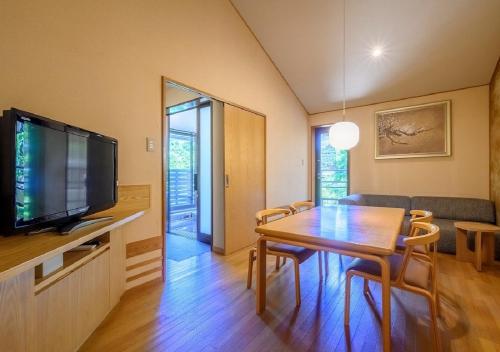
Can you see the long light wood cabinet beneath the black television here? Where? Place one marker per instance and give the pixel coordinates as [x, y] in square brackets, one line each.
[58, 311]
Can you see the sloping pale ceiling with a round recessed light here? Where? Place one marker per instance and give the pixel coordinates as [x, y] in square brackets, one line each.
[430, 46]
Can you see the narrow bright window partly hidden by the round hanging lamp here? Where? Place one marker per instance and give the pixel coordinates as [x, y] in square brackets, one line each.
[331, 169]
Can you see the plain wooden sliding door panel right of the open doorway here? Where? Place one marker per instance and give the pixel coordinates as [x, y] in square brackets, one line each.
[245, 175]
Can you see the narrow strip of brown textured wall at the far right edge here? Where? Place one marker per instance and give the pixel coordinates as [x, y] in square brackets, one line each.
[495, 139]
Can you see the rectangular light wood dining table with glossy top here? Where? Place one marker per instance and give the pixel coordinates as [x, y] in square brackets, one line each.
[356, 231]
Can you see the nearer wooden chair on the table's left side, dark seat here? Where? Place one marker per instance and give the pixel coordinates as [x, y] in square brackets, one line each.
[297, 254]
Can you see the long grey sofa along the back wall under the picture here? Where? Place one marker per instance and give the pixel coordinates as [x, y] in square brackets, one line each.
[445, 210]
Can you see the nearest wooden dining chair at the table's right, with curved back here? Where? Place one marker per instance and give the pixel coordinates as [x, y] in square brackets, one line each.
[410, 272]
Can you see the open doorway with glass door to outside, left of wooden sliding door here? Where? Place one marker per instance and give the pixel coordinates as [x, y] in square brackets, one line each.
[189, 178]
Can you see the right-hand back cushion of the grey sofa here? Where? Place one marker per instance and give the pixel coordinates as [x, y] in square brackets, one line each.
[468, 209]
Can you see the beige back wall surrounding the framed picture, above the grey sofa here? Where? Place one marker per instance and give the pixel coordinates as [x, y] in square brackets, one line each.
[465, 173]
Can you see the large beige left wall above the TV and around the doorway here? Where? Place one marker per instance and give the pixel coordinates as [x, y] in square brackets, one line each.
[98, 65]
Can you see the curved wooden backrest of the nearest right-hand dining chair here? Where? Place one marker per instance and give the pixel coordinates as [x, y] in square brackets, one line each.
[428, 239]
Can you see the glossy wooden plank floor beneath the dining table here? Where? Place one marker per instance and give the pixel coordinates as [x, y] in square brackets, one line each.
[205, 306]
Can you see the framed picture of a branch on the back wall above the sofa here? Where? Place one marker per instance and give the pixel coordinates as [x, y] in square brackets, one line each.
[419, 131]
